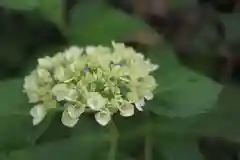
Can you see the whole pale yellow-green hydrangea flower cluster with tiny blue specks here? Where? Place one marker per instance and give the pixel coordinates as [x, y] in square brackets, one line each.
[95, 79]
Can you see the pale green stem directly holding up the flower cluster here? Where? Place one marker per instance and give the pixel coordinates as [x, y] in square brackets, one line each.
[113, 141]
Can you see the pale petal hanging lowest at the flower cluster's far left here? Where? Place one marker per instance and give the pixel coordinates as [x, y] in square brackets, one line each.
[38, 113]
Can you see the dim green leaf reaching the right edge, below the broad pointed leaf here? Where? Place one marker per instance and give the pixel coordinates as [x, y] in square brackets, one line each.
[222, 121]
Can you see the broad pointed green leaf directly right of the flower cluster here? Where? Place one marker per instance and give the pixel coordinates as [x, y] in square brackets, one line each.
[181, 92]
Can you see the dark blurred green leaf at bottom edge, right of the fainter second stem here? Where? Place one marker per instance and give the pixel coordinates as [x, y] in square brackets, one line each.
[178, 148]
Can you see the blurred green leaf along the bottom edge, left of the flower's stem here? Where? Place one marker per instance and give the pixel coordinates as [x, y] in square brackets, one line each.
[73, 149]
